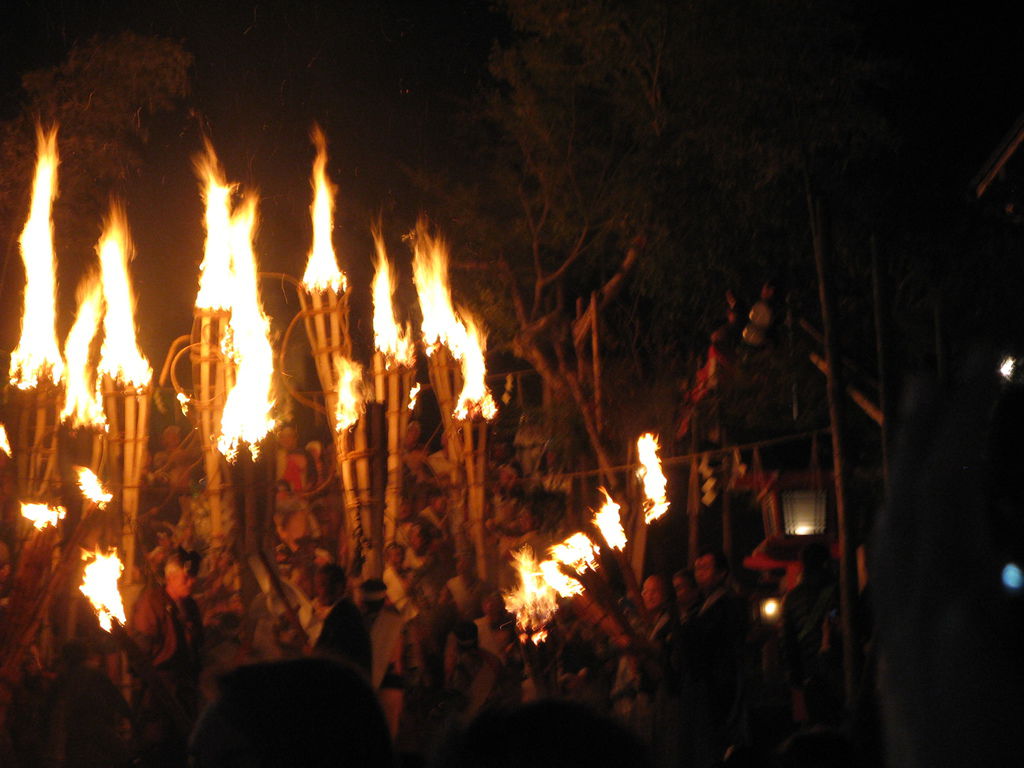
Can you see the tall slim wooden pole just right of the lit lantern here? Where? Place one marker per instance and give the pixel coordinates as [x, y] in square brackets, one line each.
[848, 561]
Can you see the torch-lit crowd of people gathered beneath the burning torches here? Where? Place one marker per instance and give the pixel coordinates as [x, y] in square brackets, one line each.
[432, 638]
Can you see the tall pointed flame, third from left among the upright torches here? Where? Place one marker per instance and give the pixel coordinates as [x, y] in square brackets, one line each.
[120, 357]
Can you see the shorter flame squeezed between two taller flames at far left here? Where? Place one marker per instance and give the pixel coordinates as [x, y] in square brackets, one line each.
[82, 405]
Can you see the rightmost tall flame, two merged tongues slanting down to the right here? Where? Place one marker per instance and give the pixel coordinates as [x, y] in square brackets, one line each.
[443, 326]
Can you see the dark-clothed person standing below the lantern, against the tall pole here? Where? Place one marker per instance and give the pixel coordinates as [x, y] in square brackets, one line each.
[810, 649]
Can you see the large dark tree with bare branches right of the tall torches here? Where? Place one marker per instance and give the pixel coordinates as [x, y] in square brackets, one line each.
[665, 148]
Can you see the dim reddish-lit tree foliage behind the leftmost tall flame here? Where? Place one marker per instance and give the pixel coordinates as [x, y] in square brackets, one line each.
[102, 98]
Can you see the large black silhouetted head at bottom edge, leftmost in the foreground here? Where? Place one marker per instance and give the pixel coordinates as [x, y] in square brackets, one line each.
[315, 713]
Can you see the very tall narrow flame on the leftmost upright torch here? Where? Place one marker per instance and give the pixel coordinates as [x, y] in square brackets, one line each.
[37, 357]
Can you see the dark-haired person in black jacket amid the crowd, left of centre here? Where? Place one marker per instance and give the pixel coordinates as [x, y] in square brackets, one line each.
[344, 633]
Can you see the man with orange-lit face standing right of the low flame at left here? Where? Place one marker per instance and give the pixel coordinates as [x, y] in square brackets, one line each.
[168, 630]
